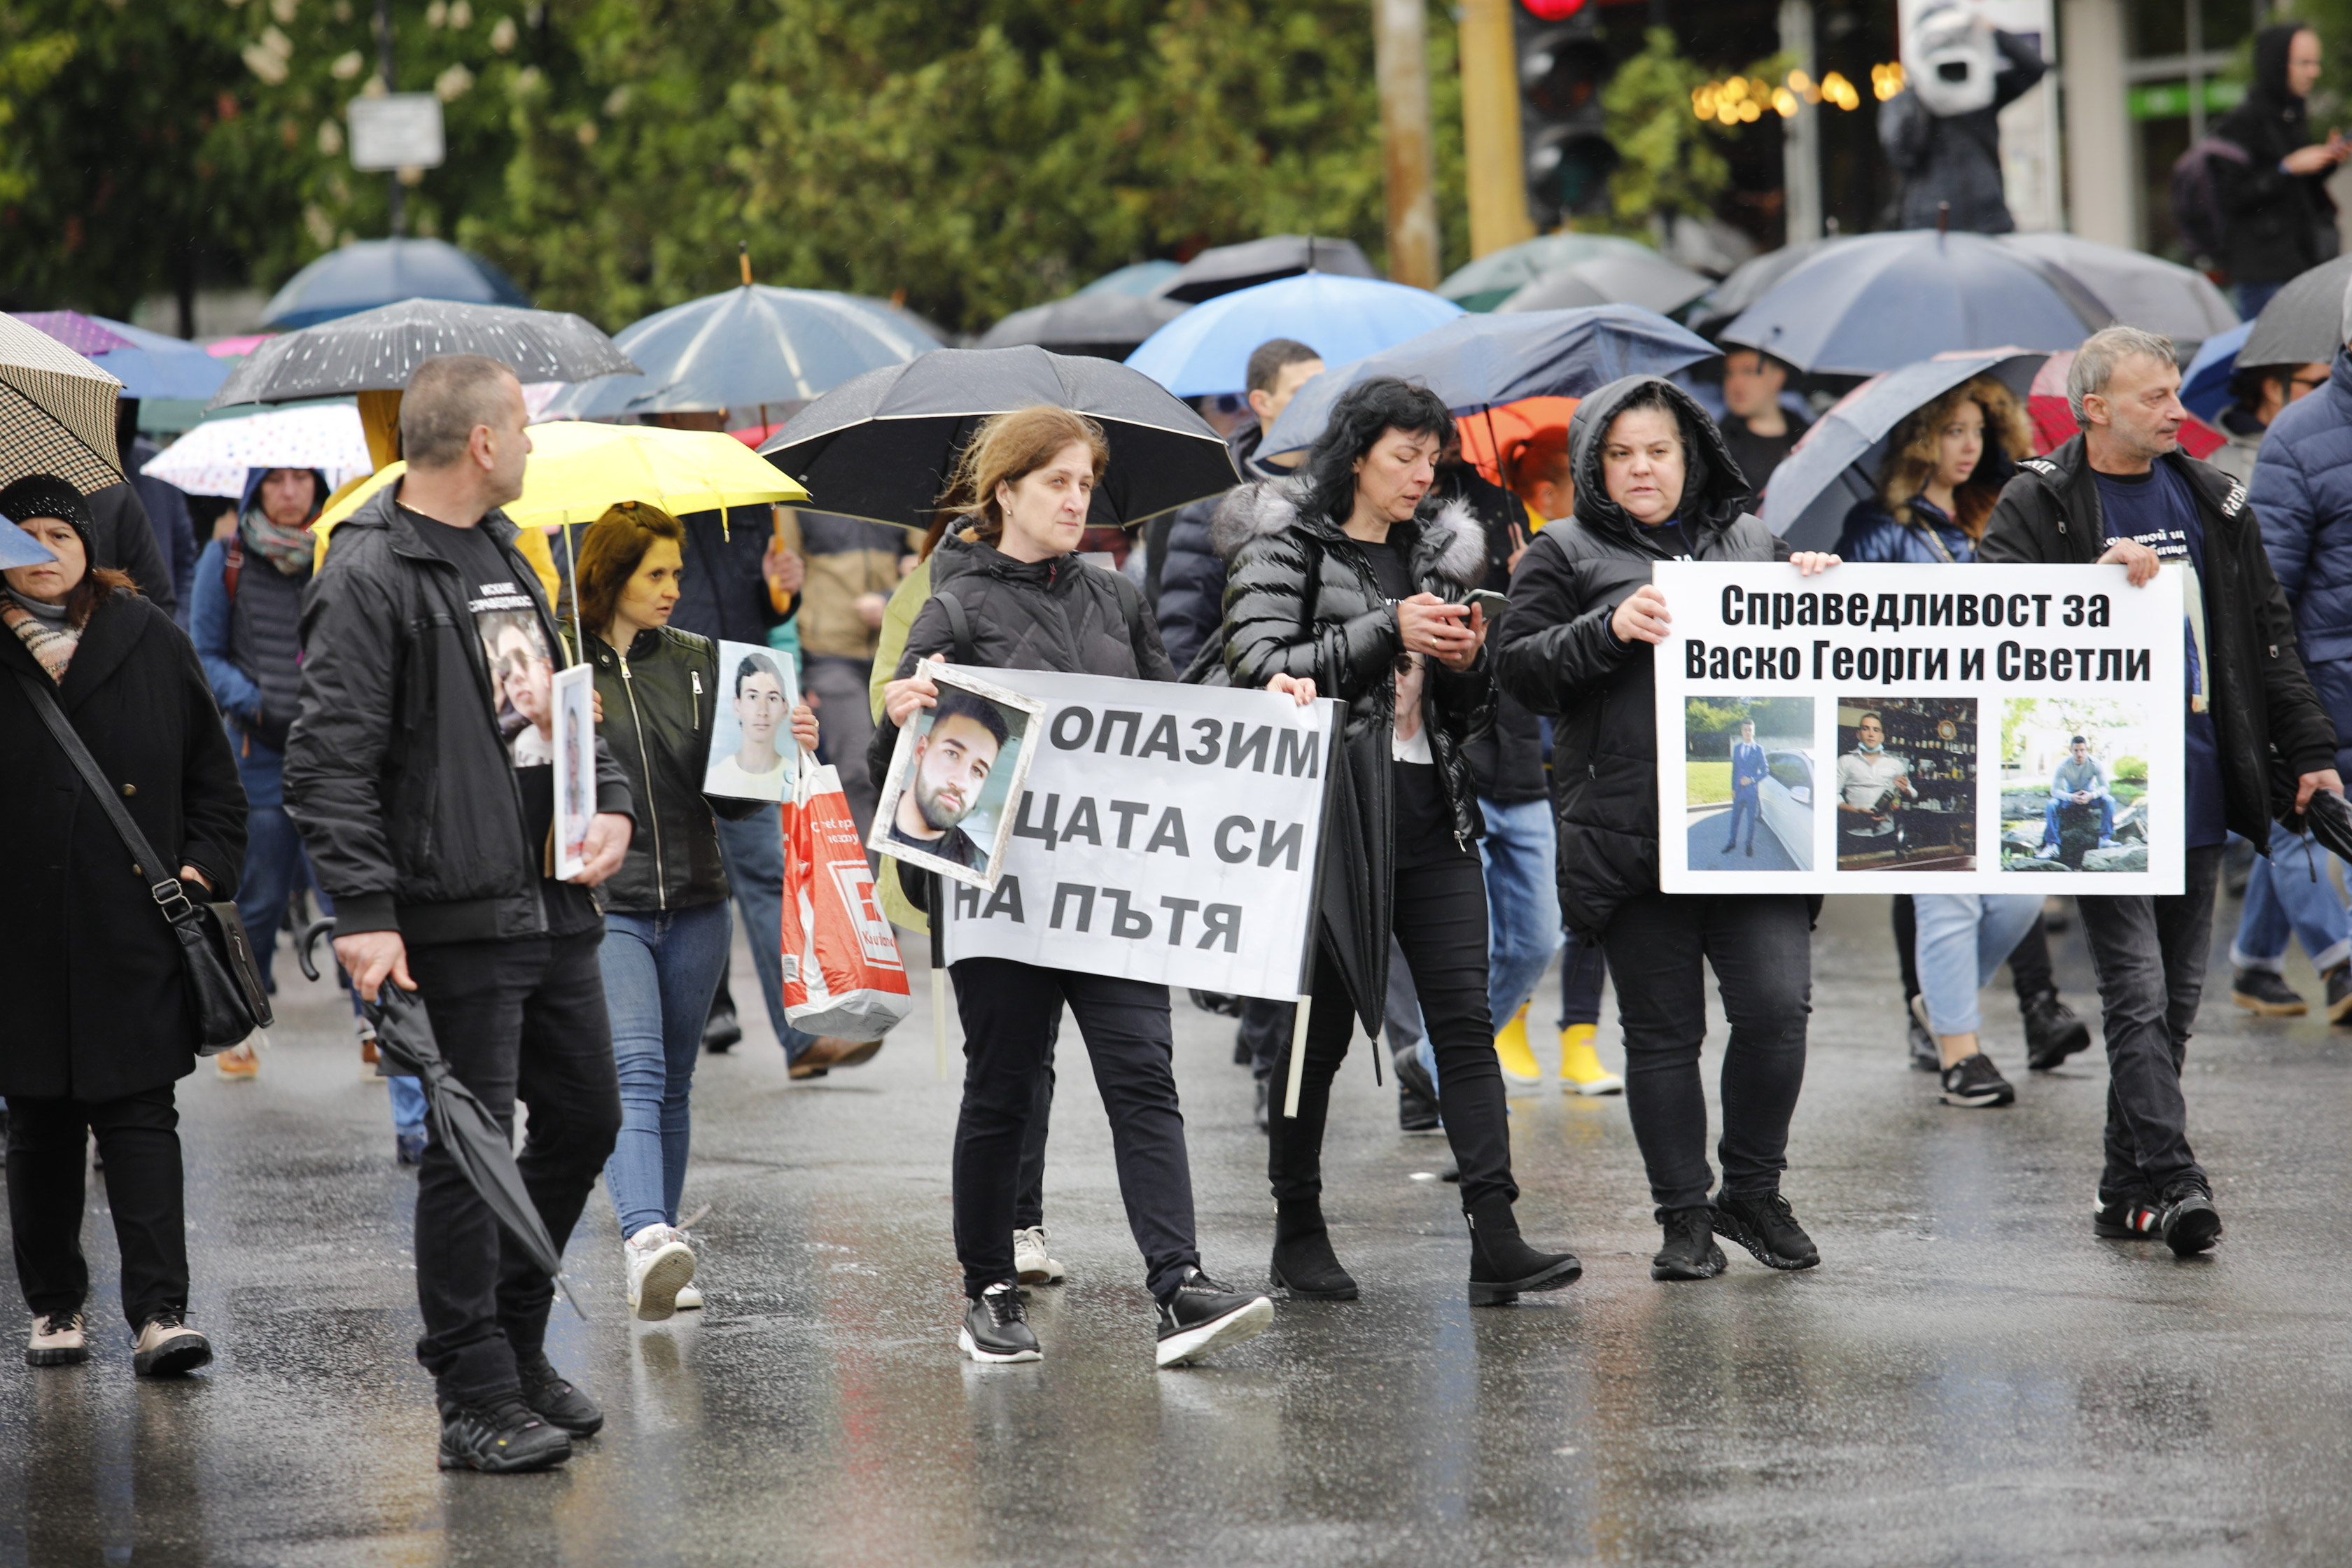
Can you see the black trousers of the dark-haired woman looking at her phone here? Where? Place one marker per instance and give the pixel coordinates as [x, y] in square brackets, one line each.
[1443, 930]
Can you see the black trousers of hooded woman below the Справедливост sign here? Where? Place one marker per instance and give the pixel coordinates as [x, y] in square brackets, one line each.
[1763, 956]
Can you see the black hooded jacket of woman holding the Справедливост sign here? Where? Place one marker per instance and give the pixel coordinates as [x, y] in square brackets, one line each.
[1561, 657]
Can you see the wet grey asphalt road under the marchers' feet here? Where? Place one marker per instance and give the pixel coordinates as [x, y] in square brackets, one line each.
[1970, 1376]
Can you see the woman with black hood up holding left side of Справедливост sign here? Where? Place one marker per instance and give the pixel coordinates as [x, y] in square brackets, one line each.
[1655, 483]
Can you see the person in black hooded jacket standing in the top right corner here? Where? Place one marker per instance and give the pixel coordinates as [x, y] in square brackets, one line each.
[2278, 208]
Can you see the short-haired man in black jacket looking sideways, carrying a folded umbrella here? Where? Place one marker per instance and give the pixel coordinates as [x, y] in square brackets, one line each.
[420, 777]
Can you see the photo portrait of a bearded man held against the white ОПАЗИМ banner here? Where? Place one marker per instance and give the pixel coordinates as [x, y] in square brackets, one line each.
[956, 768]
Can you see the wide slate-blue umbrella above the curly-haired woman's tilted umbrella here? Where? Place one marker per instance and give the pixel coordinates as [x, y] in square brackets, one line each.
[1876, 302]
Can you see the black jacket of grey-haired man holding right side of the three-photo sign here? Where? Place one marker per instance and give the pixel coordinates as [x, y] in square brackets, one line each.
[2266, 713]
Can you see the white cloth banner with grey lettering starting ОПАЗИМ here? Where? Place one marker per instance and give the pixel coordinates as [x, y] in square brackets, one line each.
[1165, 833]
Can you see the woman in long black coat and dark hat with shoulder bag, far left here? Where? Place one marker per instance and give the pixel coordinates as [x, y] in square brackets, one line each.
[98, 1021]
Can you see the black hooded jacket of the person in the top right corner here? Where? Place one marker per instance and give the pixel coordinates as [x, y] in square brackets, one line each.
[2278, 222]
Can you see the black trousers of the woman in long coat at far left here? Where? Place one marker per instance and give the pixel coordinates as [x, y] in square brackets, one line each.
[48, 1172]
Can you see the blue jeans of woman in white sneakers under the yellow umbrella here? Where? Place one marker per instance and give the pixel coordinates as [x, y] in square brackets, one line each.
[660, 974]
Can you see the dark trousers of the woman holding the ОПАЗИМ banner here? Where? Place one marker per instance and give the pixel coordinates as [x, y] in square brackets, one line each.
[1010, 1021]
